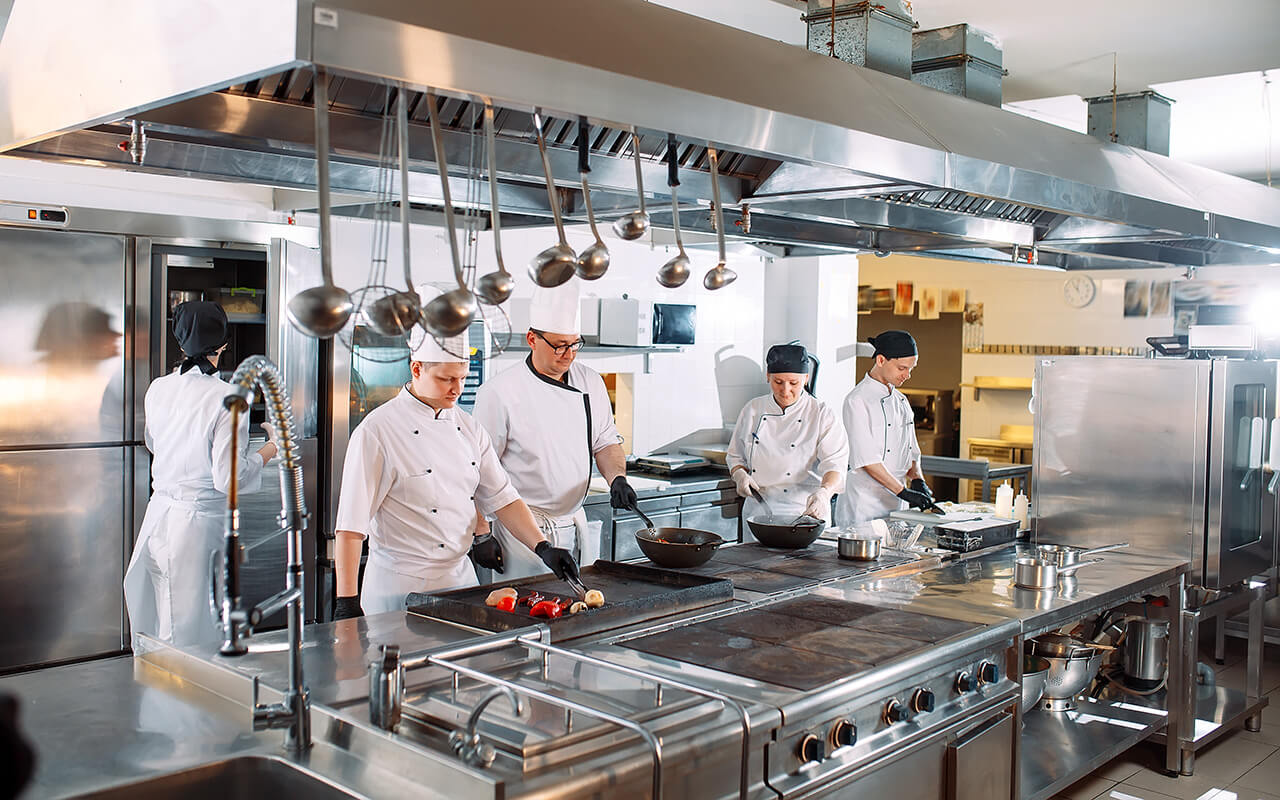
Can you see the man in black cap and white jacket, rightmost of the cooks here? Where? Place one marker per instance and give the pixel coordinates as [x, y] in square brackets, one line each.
[884, 455]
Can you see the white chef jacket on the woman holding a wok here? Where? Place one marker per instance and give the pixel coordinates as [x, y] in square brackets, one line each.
[788, 451]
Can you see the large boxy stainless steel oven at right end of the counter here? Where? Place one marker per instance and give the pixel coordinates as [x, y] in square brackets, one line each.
[1167, 454]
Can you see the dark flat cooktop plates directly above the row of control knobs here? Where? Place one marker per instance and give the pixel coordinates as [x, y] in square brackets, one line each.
[804, 643]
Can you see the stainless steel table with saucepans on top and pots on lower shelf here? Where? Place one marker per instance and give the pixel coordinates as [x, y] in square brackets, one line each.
[981, 589]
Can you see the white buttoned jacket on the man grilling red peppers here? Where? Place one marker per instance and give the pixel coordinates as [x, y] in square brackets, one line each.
[412, 482]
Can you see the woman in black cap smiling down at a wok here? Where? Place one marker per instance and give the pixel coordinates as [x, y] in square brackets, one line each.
[788, 446]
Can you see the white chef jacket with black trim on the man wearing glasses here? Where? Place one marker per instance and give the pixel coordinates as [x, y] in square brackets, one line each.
[546, 433]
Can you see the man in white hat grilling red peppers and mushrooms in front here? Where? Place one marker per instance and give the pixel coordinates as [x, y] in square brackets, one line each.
[417, 470]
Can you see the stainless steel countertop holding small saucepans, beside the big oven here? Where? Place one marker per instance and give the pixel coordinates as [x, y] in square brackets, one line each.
[981, 589]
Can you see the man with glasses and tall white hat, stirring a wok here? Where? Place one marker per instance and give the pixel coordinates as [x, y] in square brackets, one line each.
[550, 419]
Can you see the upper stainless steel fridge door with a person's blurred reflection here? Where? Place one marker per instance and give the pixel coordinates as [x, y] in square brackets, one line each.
[63, 323]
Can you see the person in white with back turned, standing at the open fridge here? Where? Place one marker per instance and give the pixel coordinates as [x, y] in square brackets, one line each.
[189, 433]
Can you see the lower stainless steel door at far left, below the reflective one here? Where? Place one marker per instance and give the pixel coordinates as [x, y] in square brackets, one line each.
[62, 555]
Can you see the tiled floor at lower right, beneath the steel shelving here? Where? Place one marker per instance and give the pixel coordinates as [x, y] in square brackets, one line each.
[1241, 766]
